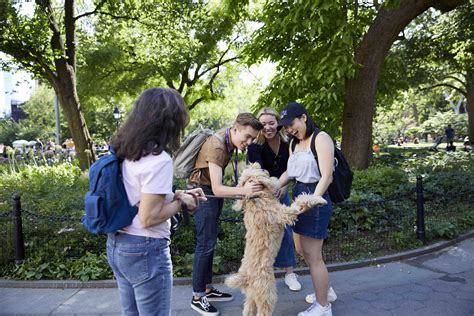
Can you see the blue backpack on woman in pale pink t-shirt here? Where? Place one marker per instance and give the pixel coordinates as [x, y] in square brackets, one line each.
[107, 208]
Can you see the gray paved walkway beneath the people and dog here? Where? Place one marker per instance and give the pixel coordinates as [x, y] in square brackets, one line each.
[440, 283]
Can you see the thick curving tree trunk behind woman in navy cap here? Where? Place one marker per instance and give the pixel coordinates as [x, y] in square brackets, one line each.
[369, 55]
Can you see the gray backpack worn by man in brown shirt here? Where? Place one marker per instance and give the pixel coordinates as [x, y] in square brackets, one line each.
[186, 156]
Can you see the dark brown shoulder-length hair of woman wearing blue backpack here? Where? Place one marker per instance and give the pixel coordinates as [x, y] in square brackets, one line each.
[156, 123]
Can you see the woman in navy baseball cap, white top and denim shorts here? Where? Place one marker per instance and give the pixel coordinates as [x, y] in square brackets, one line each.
[312, 177]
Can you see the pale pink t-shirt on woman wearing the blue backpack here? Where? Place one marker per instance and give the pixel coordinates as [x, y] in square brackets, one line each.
[151, 174]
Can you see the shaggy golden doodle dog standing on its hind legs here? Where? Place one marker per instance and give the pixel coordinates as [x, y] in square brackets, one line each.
[264, 219]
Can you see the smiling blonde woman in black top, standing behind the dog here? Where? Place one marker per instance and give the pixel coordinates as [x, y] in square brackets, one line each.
[270, 150]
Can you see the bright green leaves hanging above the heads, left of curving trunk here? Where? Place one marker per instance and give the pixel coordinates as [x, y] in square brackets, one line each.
[312, 42]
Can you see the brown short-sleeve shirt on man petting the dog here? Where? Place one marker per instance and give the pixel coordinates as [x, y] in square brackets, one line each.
[213, 150]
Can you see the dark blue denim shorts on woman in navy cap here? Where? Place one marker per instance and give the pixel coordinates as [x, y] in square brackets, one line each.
[315, 221]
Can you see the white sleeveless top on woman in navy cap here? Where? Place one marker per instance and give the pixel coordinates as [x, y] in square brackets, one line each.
[303, 167]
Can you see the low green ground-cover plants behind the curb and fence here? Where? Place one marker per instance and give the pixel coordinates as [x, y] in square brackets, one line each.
[58, 247]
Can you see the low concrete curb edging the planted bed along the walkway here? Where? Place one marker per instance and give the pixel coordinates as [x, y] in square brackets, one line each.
[69, 284]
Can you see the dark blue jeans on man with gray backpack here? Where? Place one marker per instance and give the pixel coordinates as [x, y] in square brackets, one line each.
[206, 219]
